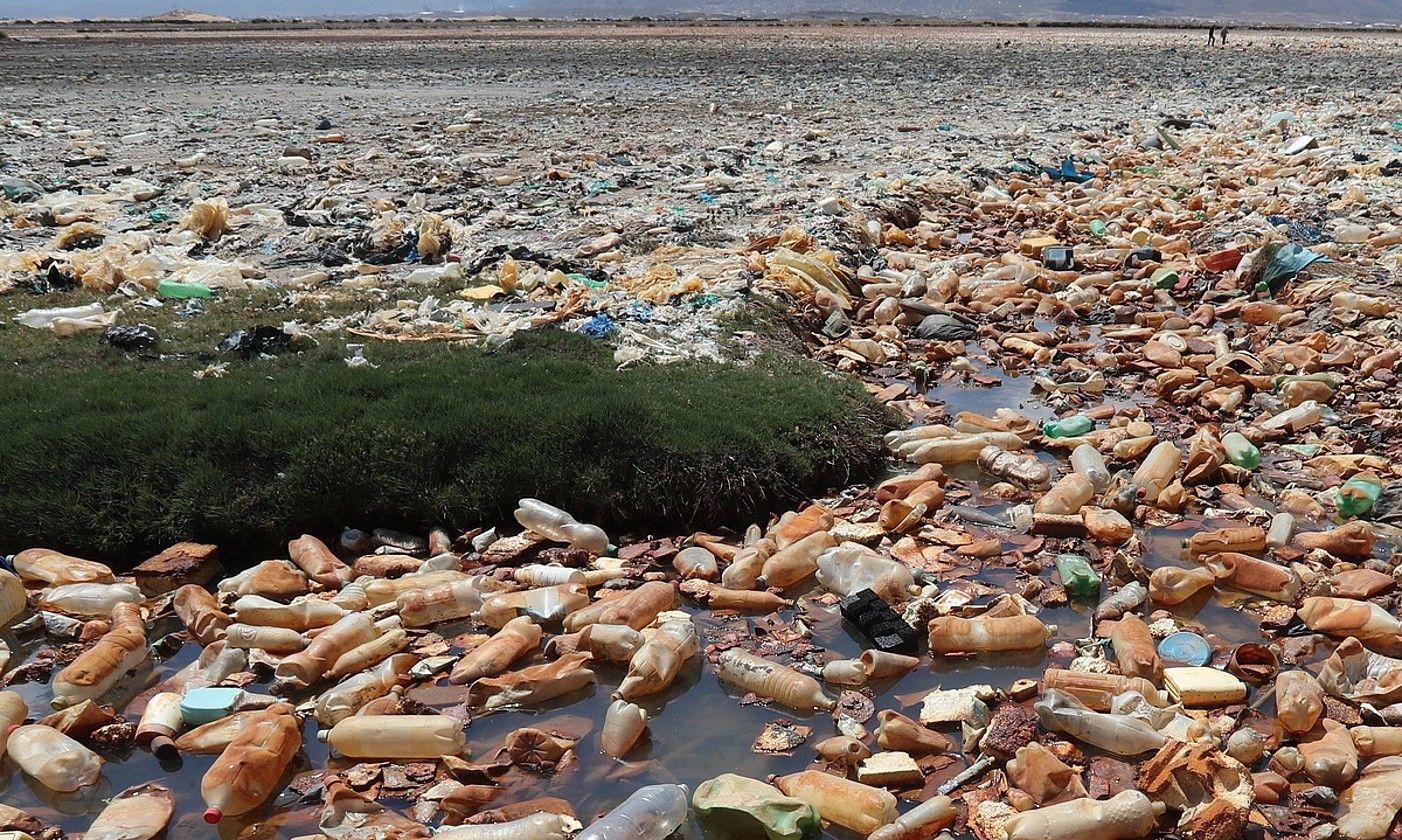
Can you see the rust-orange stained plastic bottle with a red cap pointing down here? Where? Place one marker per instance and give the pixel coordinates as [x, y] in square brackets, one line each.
[247, 773]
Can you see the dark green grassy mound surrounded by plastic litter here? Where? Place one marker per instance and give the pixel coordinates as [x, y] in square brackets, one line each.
[120, 456]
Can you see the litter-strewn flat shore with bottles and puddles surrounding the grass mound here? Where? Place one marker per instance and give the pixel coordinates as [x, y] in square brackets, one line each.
[1134, 571]
